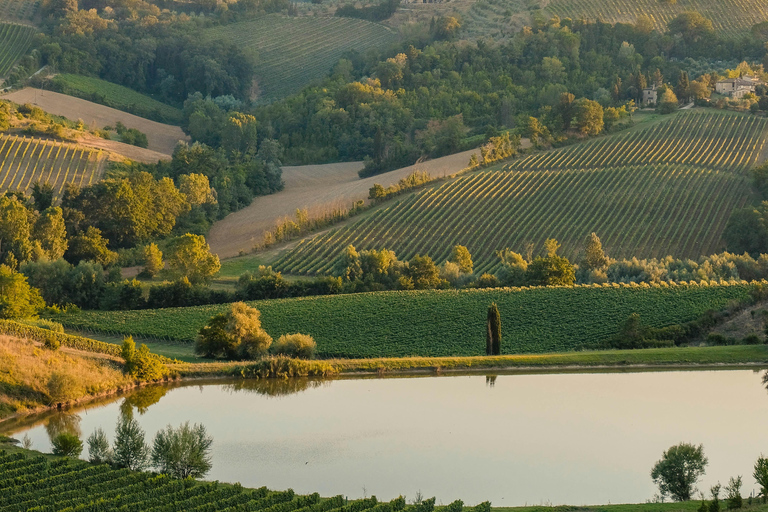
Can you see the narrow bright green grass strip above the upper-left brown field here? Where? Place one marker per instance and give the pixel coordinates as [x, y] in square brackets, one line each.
[116, 96]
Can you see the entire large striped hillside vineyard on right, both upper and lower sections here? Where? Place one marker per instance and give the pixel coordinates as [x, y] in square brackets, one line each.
[667, 189]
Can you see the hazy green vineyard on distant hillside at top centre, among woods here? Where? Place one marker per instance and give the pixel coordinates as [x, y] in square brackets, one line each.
[291, 52]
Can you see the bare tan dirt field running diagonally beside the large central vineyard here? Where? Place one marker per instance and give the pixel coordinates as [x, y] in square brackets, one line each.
[316, 188]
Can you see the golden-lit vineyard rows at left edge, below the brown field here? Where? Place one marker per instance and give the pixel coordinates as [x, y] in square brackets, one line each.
[25, 160]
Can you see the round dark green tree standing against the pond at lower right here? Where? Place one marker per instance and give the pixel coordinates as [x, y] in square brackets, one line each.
[678, 471]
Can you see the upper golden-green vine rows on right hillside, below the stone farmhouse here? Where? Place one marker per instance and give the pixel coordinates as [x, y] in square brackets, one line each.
[708, 140]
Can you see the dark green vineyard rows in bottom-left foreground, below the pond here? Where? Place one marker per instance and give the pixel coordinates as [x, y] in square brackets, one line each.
[39, 483]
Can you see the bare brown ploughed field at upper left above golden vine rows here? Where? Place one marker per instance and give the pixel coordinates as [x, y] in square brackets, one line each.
[162, 137]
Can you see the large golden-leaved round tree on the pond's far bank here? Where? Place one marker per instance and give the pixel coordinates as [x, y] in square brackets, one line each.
[235, 335]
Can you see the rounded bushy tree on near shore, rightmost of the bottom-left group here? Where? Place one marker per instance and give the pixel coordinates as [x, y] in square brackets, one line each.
[183, 452]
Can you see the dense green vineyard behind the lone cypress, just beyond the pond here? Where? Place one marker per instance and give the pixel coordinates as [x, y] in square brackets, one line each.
[440, 322]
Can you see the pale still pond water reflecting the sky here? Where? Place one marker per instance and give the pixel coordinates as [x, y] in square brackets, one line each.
[581, 438]
